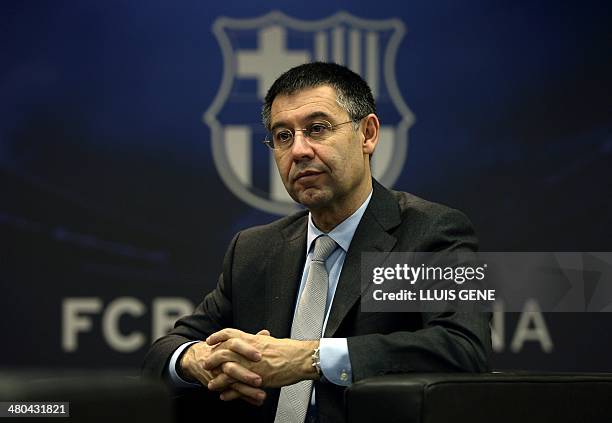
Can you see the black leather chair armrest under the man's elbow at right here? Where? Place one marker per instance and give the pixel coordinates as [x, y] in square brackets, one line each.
[516, 397]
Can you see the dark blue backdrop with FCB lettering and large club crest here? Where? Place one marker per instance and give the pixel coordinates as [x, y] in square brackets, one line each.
[130, 152]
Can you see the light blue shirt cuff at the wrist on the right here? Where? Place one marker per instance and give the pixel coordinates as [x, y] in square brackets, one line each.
[335, 362]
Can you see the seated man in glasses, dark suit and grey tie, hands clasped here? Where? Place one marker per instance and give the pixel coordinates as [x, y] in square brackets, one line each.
[286, 310]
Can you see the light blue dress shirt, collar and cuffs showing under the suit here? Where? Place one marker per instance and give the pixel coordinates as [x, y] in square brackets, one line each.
[335, 362]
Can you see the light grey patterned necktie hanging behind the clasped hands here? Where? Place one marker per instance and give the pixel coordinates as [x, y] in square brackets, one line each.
[307, 324]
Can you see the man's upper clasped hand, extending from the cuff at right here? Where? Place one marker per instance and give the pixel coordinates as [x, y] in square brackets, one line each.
[283, 361]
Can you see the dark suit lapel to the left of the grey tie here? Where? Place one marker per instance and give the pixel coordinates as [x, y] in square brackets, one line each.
[284, 275]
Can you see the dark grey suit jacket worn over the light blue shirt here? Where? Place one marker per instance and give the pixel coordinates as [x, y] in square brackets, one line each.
[258, 288]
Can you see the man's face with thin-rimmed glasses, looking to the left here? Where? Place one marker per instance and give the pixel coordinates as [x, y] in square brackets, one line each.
[319, 174]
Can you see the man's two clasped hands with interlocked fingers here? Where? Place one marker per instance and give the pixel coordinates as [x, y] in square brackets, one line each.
[239, 364]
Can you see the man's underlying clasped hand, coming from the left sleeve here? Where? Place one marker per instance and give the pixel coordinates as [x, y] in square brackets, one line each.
[192, 368]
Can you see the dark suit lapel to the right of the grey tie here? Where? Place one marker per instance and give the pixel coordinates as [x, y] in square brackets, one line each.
[371, 235]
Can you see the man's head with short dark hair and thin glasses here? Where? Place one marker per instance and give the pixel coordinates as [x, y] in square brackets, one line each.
[326, 168]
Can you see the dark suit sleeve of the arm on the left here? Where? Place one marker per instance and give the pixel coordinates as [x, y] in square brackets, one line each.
[211, 315]
